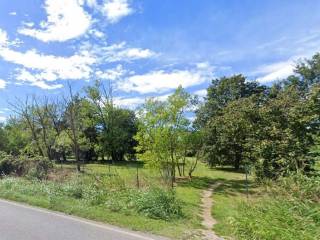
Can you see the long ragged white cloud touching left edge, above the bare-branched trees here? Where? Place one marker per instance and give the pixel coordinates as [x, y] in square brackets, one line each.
[37, 69]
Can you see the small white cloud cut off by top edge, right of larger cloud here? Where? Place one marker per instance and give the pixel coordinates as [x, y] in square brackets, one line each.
[114, 10]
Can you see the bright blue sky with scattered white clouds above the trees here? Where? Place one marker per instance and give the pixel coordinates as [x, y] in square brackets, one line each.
[148, 48]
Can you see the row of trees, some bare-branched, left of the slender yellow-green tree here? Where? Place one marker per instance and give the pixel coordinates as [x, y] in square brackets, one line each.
[86, 127]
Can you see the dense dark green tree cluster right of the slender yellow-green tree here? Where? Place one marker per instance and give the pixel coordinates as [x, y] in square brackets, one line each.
[274, 130]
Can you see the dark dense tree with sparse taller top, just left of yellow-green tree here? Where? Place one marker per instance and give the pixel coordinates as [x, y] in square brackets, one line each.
[117, 126]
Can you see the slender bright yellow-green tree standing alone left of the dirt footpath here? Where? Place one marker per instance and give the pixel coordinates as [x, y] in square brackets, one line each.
[161, 131]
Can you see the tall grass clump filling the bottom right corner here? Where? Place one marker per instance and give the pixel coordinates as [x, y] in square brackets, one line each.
[290, 210]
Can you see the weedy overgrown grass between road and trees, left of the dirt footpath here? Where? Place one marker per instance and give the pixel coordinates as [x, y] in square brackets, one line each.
[110, 194]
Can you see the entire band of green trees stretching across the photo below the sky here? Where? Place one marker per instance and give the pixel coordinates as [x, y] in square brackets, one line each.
[272, 130]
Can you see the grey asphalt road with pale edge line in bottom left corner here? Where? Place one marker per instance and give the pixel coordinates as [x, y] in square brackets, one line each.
[22, 222]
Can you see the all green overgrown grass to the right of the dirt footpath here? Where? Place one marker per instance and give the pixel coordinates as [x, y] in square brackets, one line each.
[287, 209]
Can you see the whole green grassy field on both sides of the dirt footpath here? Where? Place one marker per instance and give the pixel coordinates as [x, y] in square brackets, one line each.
[263, 212]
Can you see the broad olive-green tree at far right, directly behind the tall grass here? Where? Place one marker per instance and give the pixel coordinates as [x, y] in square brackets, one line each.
[285, 134]
